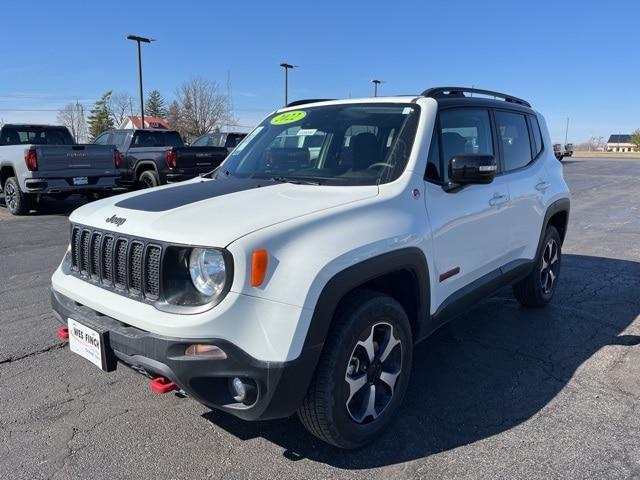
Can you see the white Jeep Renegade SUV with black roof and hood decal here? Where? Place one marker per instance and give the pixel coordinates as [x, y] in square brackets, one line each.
[298, 276]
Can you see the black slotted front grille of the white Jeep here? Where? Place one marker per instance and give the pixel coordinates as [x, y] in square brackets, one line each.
[120, 263]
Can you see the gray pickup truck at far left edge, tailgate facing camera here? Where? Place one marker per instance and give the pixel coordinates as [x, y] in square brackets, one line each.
[45, 160]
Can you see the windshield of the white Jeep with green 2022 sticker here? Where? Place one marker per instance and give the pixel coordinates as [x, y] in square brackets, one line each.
[351, 144]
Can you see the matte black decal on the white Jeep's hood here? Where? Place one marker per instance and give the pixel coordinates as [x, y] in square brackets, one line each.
[181, 195]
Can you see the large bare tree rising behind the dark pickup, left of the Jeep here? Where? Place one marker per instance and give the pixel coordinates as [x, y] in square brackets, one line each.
[202, 107]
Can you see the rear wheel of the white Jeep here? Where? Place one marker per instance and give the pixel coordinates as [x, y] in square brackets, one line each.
[537, 289]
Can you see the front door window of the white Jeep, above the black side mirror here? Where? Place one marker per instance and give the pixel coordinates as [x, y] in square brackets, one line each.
[464, 132]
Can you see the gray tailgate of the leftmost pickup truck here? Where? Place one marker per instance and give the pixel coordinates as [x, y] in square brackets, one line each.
[84, 159]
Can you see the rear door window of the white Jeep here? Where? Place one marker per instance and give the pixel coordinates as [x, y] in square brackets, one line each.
[514, 139]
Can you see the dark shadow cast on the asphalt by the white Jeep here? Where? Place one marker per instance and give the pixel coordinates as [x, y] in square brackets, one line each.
[488, 370]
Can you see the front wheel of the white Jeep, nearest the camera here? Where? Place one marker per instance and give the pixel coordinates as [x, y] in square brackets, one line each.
[363, 372]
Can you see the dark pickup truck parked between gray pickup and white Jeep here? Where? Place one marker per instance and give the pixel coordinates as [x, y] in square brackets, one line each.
[152, 157]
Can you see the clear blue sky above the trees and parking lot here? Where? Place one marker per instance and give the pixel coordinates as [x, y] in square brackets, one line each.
[569, 59]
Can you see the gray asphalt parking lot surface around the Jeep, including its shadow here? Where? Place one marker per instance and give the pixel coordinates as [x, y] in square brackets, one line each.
[500, 392]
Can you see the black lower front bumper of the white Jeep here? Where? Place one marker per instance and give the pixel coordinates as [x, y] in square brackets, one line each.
[281, 386]
